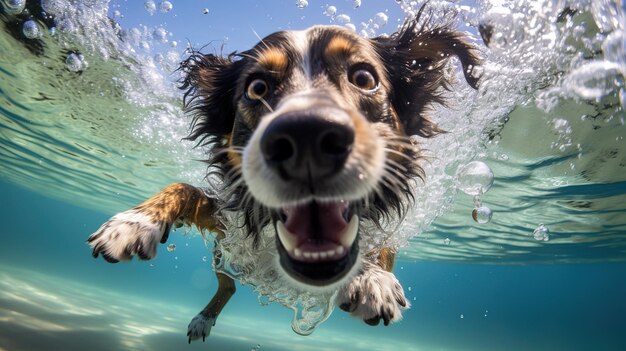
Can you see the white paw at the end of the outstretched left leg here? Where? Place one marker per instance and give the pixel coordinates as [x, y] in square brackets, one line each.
[128, 234]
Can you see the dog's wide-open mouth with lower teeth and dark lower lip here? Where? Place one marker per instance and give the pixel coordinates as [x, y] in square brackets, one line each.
[317, 242]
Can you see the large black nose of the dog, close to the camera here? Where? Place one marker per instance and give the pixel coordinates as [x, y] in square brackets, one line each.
[308, 145]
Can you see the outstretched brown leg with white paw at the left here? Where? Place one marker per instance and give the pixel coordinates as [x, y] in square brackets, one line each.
[138, 231]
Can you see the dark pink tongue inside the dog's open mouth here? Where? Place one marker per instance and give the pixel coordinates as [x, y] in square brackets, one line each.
[318, 221]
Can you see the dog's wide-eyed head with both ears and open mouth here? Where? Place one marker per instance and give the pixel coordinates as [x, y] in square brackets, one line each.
[311, 131]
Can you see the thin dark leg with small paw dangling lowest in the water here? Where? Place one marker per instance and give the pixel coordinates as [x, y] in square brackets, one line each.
[200, 325]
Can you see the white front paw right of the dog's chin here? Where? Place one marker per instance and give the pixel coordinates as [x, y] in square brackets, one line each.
[373, 295]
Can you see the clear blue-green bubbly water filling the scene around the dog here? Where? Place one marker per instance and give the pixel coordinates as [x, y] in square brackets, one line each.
[91, 124]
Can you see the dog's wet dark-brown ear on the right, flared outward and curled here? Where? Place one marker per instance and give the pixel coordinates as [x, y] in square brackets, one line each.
[415, 58]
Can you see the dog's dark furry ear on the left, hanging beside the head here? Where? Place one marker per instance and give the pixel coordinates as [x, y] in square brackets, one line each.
[209, 83]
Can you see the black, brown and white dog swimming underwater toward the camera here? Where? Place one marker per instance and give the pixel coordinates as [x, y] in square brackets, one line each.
[309, 132]
